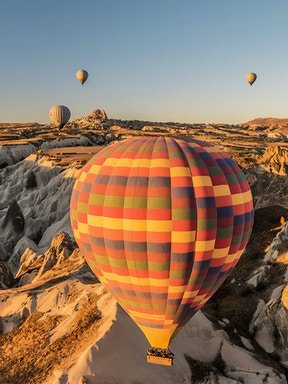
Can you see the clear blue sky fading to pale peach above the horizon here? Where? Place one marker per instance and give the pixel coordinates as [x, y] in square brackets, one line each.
[157, 60]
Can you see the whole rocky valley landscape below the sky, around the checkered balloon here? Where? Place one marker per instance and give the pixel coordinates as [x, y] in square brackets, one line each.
[58, 325]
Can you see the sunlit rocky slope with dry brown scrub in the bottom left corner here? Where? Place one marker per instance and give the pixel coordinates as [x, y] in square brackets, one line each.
[45, 328]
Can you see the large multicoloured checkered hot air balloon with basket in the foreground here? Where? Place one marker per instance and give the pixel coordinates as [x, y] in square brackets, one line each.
[161, 222]
